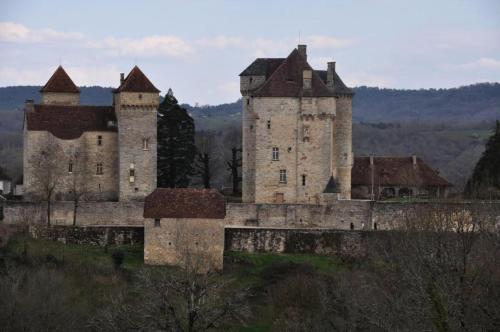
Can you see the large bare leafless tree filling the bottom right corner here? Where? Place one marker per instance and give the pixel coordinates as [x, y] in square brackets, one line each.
[440, 271]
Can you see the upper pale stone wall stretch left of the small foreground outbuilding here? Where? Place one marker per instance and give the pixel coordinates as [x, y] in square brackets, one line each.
[88, 213]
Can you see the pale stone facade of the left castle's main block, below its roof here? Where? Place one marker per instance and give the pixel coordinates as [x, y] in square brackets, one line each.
[47, 158]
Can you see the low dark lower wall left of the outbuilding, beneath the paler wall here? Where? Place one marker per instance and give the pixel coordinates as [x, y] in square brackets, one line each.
[98, 236]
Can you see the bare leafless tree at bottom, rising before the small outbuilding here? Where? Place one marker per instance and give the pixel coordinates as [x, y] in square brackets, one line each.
[187, 299]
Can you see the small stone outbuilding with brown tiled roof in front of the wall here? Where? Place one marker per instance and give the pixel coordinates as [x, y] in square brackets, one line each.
[185, 227]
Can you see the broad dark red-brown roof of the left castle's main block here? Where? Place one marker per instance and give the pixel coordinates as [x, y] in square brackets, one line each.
[70, 122]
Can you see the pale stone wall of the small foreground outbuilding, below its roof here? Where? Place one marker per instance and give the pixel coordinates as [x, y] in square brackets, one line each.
[197, 243]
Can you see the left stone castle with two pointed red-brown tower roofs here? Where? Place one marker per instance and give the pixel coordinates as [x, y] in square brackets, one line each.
[97, 153]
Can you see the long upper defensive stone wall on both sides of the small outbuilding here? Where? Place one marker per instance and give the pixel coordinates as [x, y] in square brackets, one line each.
[340, 215]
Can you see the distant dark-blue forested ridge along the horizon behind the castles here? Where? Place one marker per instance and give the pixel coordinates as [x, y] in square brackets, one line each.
[472, 103]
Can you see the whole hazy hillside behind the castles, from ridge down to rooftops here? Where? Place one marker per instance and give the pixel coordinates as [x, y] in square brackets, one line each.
[447, 127]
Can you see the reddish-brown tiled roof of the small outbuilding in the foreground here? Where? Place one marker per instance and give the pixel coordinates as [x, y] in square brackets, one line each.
[185, 203]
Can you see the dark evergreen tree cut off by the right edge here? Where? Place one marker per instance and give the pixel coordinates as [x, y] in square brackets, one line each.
[485, 180]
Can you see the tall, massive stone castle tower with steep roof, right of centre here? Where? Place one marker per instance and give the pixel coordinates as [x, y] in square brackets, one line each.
[297, 132]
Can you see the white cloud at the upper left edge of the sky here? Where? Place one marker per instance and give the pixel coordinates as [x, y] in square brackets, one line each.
[18, 33]
